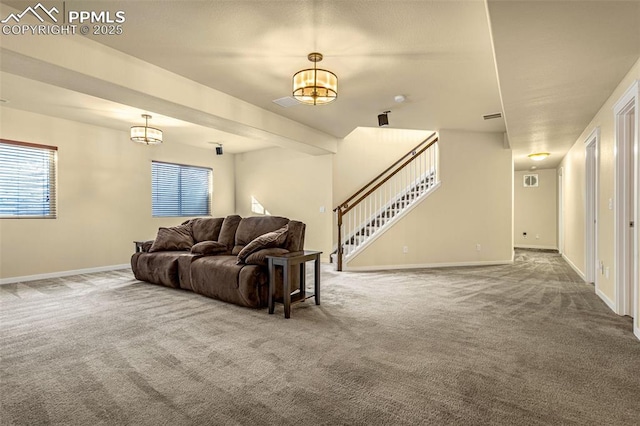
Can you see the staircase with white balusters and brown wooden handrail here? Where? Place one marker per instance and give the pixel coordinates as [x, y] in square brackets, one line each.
[365, 215]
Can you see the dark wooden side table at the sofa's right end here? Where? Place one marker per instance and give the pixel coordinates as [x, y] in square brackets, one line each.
[288, 262]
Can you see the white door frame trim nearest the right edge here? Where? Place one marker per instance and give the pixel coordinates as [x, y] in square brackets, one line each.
[627, 102]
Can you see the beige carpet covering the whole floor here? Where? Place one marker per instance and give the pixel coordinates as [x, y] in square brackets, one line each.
[523, 344]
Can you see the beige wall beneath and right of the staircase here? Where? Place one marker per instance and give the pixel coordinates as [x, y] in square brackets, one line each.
[472, 206]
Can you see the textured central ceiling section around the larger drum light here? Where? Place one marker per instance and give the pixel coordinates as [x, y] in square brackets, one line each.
[437, 54]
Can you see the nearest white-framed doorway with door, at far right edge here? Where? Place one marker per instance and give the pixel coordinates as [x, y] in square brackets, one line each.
[627, 289]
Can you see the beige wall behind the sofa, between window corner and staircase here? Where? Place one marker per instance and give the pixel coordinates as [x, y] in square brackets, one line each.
[290, 184]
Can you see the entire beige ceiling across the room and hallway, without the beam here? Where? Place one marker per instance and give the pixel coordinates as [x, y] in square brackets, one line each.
[555, 64]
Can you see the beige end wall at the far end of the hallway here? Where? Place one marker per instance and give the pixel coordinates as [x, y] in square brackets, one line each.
[536, 210]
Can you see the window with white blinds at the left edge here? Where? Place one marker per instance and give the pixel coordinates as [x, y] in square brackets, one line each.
[27, 180]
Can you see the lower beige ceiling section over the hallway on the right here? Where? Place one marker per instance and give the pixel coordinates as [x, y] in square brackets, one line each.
[558, 62]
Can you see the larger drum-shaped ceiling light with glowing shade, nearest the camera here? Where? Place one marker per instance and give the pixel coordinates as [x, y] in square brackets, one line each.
[314, 86]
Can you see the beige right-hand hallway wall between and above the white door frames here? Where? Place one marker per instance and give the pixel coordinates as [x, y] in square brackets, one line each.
[574, 189]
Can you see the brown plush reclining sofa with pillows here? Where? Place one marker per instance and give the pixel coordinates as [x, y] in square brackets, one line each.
[222, 258]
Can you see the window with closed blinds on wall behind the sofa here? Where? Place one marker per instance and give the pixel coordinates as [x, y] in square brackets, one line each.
[179, 190]
